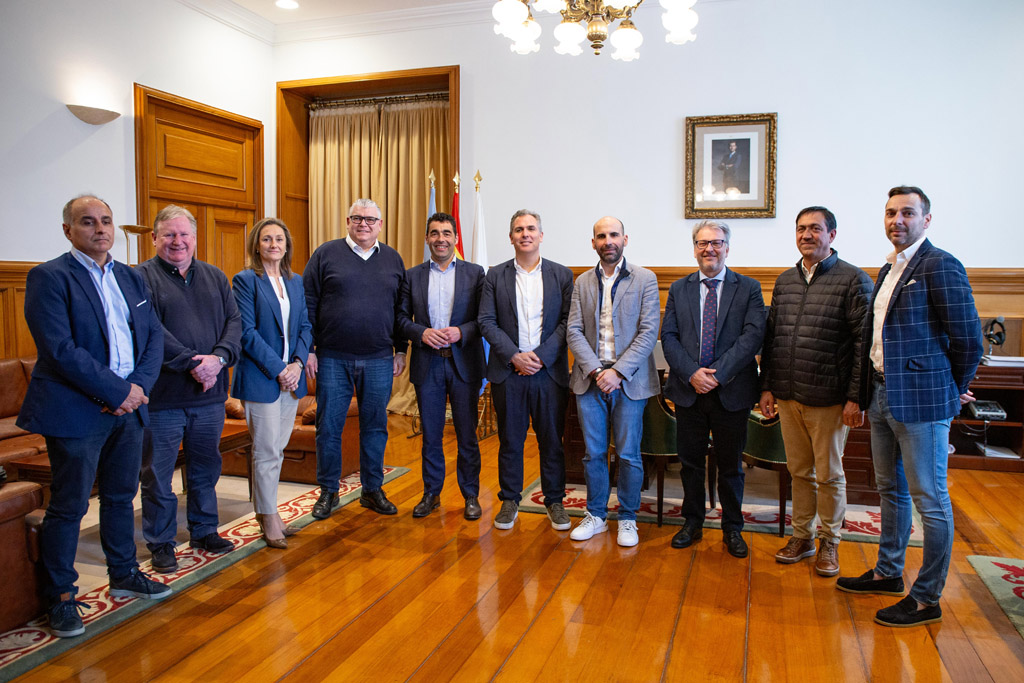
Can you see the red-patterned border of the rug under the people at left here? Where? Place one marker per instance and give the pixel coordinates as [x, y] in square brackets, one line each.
[29, 647]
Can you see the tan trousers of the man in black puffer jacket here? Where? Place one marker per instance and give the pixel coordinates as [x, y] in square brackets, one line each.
[815, 441]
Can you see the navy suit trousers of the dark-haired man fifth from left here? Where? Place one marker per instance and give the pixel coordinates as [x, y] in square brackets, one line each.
[441, 387]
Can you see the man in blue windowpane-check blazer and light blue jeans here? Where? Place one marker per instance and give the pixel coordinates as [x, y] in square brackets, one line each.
[922, 341]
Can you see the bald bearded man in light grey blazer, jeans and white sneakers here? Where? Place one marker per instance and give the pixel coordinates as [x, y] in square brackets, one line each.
[612, 331]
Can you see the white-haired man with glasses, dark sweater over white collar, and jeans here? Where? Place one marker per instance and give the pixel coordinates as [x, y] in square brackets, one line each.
[353, 287]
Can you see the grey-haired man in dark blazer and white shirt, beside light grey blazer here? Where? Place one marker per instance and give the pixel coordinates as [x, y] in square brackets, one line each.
[524, 310]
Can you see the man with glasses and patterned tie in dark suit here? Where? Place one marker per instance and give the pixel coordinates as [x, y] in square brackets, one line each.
[713, 329]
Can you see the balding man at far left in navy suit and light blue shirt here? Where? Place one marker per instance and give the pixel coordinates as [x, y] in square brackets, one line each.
[100, 350]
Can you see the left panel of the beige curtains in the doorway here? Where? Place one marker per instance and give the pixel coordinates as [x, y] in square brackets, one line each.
[345, 165]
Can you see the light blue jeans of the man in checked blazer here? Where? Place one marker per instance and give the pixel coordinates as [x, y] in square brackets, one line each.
[911, 463]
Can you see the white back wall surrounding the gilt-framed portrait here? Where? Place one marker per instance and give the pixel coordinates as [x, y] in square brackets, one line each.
[870, 95]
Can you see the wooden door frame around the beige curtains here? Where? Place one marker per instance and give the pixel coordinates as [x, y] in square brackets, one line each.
[432, 79]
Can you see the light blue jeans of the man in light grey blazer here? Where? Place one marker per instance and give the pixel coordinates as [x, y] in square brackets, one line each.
[601, 413]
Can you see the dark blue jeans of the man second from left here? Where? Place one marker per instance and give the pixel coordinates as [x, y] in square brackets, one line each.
[198, 432]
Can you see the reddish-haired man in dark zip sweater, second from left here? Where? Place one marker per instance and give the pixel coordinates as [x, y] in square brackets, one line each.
[202, 339]
